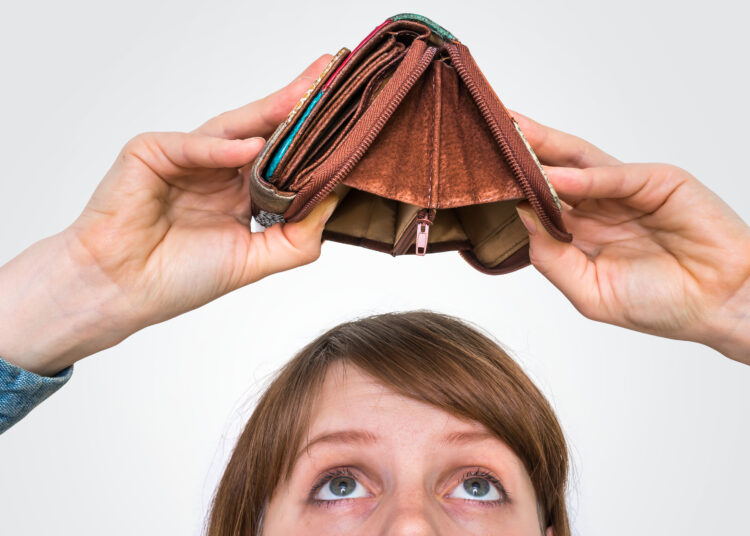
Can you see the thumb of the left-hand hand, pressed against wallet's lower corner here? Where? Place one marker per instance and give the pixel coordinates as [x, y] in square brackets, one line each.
[288, 245]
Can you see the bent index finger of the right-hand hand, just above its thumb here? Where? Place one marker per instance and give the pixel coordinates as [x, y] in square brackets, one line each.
[644, 186]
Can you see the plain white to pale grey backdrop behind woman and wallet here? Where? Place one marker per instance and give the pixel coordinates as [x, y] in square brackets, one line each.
[136, 441]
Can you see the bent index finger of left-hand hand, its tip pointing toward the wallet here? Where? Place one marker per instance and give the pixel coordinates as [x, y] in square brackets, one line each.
[170, 154]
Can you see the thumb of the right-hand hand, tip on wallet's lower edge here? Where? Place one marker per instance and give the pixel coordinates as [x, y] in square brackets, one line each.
[562, 263]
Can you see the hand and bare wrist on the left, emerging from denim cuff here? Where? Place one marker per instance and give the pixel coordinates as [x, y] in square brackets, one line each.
[166, 231]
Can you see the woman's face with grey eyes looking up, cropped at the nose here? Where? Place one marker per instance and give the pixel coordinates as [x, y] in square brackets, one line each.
[375, 462]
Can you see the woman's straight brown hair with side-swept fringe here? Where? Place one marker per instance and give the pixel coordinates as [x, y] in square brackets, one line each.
[427, 356]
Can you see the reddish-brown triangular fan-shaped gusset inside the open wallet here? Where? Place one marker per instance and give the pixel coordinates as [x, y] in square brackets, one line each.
[436, 150]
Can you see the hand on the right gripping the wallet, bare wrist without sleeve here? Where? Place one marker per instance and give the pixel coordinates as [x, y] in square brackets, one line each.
[653, 249]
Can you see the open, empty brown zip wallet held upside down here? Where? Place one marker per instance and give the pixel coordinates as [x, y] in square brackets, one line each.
[421, 152]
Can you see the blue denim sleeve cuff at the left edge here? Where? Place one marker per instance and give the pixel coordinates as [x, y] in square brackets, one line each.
[21, 391]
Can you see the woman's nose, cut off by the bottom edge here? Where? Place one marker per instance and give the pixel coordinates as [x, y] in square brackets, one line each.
[412, 511]
